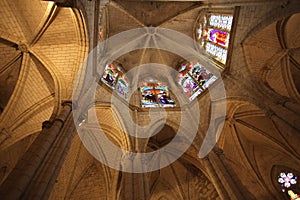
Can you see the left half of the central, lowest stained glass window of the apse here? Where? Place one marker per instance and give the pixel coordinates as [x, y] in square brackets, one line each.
[148, 95]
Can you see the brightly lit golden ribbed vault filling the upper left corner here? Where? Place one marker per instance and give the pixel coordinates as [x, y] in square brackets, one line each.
[40, 44]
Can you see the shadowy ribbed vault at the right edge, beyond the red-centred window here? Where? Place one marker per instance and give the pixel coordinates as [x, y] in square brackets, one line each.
[274, 55]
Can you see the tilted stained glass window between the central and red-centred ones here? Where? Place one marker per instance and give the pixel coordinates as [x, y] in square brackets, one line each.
[194, 79]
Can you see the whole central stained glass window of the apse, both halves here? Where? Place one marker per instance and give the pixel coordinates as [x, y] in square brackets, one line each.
[155, 94]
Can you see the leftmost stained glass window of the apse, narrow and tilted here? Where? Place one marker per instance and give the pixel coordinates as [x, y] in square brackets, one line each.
[115, 78]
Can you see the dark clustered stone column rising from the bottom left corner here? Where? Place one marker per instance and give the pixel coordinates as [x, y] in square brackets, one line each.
[36, 172]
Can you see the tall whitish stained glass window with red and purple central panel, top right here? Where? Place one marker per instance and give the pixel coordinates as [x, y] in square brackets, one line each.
[213, 33]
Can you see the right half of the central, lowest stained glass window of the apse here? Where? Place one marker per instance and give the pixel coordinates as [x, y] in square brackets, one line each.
[163, 95]
